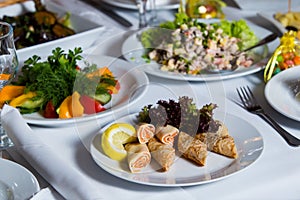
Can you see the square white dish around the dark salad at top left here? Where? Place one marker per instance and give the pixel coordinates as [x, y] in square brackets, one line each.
[87, 32]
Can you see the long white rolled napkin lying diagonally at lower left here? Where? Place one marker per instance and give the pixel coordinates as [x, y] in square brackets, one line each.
[67, 180]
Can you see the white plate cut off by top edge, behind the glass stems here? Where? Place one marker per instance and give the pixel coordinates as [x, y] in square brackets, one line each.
[130, 4]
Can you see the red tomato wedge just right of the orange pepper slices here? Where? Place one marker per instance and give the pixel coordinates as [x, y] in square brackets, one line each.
[91, 105]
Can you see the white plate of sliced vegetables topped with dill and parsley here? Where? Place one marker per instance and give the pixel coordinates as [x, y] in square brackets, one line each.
[65, 88]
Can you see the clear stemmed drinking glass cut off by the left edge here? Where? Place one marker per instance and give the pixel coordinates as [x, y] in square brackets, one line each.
[8, 68]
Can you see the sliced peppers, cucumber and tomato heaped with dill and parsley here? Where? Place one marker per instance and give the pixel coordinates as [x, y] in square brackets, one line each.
[59, 88]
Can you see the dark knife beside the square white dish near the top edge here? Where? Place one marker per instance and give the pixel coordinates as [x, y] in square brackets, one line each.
[109, 12]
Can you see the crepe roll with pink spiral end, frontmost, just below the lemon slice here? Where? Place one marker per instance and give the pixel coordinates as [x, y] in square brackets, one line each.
[138, 156]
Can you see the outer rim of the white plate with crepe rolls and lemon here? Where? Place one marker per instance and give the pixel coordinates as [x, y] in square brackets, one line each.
[256, 152]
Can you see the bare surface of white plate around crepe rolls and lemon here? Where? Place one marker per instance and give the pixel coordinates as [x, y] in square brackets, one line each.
[183, 172]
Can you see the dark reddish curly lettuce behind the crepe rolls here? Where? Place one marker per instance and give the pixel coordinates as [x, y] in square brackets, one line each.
[182, 114]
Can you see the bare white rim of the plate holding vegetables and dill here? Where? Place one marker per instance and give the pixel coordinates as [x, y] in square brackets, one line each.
[139, 77]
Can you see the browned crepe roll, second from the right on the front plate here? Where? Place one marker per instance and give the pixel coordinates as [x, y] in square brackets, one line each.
[192, 148]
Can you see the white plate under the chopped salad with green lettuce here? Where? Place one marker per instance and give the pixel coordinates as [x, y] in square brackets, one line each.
[133, 50]
